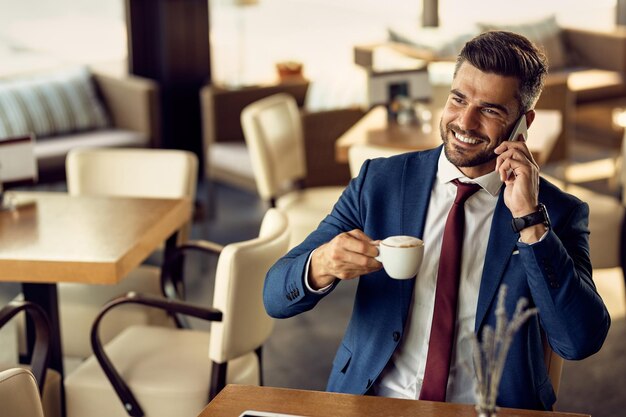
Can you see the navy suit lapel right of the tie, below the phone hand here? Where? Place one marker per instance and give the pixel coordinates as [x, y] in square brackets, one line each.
[502, 241]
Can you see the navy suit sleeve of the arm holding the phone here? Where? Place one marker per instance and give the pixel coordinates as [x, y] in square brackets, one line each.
[571, 312]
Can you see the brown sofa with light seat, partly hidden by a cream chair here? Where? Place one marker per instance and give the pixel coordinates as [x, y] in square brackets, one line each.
[226, 156]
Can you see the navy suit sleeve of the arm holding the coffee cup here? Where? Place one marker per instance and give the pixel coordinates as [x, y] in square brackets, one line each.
[284, 292]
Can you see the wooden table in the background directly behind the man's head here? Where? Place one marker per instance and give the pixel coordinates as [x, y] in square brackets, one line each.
[373, 129]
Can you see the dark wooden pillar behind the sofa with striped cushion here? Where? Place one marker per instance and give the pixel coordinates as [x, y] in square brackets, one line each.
[168, 41]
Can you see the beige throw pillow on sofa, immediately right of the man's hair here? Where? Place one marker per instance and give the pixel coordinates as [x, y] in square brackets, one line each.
[545, 33]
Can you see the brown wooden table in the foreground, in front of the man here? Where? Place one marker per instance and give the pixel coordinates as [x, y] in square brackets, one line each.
[234, 399]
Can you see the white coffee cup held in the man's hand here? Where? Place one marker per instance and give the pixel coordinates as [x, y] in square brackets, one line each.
[401, 256]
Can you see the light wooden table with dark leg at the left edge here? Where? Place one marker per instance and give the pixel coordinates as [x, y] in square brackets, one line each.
[92, 240]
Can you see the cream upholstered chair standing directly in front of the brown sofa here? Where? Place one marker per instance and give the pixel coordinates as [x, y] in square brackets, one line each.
[273, 131]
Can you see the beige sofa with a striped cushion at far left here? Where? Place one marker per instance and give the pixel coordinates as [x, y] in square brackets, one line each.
[75, 107]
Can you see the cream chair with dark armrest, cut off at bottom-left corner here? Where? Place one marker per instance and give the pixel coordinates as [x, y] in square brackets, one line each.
[16, 397]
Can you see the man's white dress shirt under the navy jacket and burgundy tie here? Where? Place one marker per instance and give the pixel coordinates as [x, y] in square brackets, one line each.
[403, 375]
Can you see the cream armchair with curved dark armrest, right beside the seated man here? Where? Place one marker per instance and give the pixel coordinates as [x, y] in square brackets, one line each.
[162, 372]
